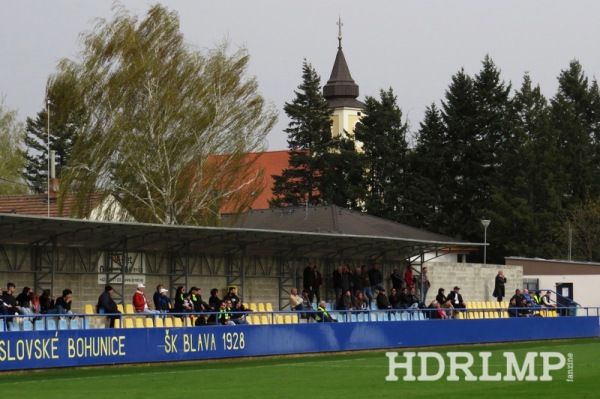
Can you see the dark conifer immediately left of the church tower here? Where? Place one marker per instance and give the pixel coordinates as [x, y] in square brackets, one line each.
[310, 143]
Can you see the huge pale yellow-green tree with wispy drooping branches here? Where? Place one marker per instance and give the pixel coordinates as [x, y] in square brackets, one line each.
[167, 127]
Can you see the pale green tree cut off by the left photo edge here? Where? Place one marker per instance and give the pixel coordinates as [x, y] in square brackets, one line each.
[11, 162]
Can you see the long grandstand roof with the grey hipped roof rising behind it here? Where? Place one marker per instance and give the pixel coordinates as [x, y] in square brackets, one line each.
[270, 233]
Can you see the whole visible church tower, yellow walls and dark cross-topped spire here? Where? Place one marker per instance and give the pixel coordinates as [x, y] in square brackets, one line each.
[341, 92]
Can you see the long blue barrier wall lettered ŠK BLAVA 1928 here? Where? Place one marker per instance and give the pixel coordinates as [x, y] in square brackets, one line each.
[66, 348]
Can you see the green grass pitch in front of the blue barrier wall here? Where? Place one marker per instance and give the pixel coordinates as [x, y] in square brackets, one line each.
[354, 375]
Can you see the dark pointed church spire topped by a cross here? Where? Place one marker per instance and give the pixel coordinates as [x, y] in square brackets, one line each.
[341, 90]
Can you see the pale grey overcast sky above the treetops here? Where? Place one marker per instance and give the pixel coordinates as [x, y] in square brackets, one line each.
[413, 47]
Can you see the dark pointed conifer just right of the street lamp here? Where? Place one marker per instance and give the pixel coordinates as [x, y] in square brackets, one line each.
[526, 206]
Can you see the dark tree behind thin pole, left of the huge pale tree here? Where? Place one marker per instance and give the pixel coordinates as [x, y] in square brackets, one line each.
[66, 118]
